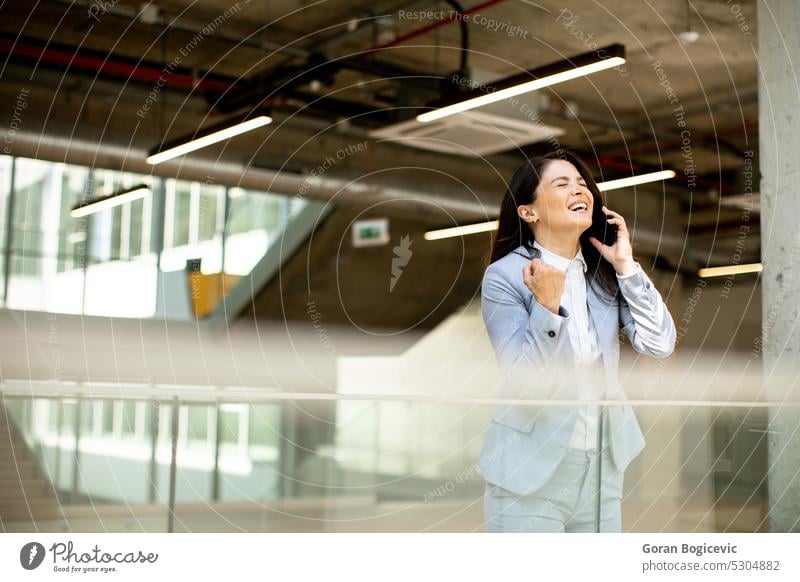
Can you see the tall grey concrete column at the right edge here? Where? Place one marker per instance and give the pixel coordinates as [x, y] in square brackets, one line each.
[779, 145]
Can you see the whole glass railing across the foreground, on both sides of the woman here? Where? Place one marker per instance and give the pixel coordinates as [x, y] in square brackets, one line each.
[344, 463]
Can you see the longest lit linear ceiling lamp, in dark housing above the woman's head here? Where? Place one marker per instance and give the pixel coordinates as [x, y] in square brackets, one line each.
[559, 72]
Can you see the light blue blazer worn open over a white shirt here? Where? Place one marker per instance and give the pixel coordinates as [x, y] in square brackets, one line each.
[524, 444]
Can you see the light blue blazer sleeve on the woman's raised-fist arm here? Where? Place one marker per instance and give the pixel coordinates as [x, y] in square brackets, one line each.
[524, 343]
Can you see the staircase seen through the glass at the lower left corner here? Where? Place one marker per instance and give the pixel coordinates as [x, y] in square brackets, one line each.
[26, 494]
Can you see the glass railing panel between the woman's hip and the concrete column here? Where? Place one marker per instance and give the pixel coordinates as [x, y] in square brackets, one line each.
[711, 475]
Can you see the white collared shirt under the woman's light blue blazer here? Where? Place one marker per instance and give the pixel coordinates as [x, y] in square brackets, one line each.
[583, 338]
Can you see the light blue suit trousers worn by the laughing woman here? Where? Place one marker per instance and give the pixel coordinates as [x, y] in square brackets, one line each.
[565, 503]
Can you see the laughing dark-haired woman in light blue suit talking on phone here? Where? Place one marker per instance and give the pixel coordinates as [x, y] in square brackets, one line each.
[561, 282]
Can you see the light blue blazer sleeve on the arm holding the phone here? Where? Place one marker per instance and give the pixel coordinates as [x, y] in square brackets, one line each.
[644, 317]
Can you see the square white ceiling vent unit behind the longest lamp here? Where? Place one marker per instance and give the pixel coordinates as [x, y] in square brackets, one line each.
[473, 133]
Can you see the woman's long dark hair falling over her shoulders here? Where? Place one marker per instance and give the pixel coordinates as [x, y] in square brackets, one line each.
[513, 231]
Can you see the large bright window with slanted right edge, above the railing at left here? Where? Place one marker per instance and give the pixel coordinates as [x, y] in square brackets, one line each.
[108, 262]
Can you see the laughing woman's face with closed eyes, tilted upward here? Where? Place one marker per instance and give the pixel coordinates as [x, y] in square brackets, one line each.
[563, 202]
